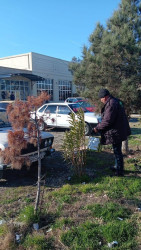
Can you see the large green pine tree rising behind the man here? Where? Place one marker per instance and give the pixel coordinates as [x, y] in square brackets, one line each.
[113, 59]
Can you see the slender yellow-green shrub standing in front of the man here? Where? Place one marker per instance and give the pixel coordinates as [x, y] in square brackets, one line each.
[74, 148]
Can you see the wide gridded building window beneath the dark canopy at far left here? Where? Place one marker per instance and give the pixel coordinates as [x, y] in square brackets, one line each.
[20, 89]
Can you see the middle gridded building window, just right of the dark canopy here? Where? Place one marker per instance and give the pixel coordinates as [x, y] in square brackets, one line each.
[46, 85]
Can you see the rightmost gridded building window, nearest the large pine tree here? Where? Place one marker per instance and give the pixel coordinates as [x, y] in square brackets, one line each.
[65, 89]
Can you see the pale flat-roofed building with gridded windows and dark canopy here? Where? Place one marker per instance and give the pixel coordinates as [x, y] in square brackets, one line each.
[30, 73]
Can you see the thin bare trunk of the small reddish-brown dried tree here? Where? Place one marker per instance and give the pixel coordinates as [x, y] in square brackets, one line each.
[39, 174]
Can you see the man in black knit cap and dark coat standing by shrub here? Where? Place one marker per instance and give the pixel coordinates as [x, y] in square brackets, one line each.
[114, 127]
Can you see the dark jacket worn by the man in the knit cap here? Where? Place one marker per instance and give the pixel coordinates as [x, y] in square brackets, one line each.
[114, 127]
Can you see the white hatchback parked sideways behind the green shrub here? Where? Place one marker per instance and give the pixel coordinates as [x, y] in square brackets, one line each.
[58, 115]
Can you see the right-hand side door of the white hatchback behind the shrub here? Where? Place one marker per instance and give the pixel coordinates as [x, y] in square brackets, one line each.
[63, 116]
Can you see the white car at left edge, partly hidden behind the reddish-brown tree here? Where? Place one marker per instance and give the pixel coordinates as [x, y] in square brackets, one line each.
[31, 150]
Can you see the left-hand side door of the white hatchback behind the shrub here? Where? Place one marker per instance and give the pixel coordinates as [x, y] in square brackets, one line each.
[49, 115]
